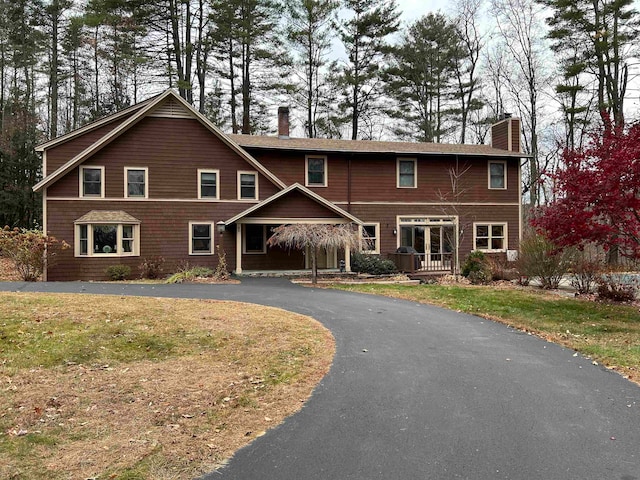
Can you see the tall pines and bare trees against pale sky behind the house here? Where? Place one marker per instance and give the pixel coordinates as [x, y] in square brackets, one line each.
[347, 68]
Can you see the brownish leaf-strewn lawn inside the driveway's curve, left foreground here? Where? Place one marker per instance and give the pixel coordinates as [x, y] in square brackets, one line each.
[231, 372]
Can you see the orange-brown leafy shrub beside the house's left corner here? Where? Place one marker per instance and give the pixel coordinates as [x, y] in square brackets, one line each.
[30, 251]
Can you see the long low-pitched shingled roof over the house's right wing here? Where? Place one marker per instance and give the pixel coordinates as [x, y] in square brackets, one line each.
[369, 146]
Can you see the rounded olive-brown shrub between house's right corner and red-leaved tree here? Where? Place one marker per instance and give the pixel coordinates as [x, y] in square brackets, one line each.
[542, 259]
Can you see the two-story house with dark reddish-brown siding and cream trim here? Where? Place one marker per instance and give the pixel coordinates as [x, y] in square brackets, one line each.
[158, 179]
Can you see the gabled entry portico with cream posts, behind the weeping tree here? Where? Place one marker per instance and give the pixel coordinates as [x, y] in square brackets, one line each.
[293, 205]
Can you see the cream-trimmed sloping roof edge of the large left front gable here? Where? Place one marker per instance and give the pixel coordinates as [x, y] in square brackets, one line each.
[147, 108]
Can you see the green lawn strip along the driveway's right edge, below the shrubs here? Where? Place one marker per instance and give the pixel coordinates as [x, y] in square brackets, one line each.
[609, 333]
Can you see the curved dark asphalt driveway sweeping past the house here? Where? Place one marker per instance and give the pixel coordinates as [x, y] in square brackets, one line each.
[419, 392]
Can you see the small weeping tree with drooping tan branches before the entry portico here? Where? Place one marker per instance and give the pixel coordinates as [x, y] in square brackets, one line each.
[301, 236]
